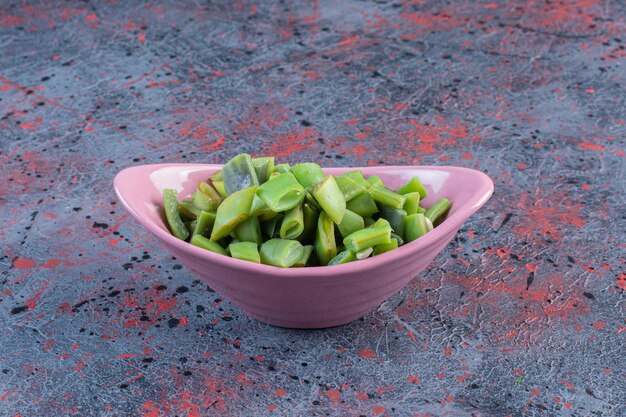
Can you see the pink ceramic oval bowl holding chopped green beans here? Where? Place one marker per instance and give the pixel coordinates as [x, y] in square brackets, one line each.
[313, 297]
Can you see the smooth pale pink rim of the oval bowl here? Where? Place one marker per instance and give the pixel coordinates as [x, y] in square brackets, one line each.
[450, 224]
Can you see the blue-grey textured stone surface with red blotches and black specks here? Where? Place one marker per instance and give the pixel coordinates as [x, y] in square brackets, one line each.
[521, 315]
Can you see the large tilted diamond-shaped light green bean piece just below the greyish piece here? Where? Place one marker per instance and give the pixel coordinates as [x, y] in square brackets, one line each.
[234, 209]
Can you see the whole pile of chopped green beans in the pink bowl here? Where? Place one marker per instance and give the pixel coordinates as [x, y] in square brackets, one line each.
[295, 216]
